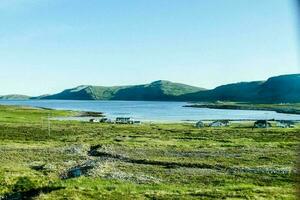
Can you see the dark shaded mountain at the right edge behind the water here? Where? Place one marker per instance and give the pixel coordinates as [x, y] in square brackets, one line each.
[279, 89]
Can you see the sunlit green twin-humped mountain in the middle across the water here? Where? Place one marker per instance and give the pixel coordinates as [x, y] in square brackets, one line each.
[155, 91]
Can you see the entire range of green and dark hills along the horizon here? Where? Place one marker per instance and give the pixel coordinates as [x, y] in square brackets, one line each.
[279, 89]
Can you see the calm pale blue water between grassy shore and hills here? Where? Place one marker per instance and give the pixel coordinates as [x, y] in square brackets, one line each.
[153, 111]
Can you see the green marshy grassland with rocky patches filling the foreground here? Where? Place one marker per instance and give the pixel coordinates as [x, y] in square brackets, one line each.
[81, 160]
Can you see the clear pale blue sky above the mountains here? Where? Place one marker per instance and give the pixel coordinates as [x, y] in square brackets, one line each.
[49, 45]
